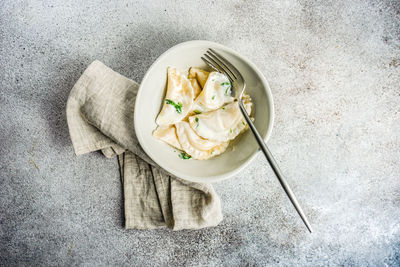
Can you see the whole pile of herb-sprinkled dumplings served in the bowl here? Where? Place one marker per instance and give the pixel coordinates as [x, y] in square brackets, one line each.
[199, 115]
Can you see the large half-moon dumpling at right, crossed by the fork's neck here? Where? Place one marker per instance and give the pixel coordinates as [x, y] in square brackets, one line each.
[223, 124]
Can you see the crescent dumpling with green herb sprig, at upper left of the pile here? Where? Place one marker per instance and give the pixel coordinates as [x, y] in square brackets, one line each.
[178, 100]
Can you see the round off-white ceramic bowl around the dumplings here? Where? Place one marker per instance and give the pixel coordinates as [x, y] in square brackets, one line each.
[149, 102]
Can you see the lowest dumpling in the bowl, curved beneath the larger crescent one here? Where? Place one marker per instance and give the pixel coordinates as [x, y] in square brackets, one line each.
[196, 146]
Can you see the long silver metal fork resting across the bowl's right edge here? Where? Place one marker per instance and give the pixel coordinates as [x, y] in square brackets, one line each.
[222, 65]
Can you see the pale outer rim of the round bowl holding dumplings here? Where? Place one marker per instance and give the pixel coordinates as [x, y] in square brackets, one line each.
[213, 178]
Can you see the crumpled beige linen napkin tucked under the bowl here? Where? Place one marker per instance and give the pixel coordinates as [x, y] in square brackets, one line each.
[100, 117]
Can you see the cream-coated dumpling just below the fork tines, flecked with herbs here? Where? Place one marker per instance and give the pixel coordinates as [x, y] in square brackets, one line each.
[216, 93]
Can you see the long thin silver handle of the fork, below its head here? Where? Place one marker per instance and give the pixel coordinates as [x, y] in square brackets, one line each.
[275, 167]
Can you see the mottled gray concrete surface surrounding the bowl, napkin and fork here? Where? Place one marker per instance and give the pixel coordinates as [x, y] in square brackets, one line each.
[334, 69]
